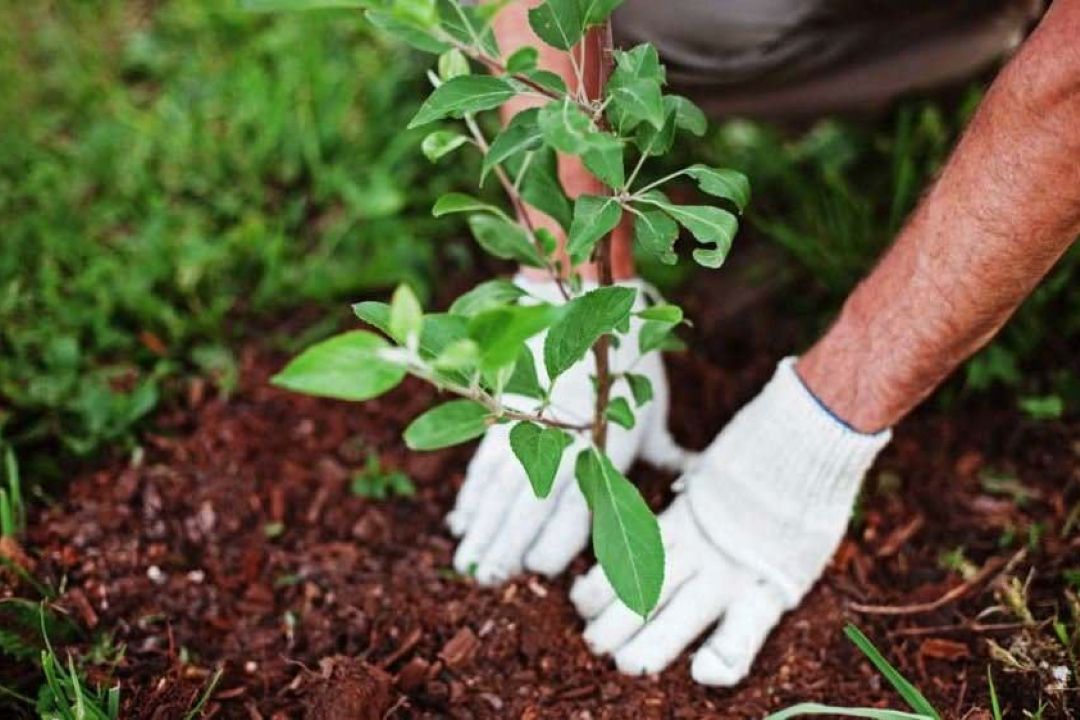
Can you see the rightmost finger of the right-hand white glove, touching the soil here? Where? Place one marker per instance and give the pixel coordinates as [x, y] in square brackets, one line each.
[726, 658]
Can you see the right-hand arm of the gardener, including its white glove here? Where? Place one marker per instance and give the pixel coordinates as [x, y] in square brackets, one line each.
[769, 502]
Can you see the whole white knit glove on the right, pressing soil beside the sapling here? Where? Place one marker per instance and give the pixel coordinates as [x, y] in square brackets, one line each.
[762, 513]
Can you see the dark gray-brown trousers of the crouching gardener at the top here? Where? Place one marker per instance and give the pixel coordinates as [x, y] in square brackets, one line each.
[798, 58]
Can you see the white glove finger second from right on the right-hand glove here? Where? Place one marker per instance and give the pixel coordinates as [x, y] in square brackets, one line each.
[697, 605]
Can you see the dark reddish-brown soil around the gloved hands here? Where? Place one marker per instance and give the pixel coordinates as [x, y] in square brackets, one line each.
[235, 541]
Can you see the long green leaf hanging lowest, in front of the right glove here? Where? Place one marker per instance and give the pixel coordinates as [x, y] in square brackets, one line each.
[626, 534]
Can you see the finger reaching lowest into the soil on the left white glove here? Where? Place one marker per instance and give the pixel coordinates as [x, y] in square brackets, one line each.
[522, 524]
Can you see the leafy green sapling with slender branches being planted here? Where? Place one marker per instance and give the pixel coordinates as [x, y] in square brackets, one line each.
[478, 351]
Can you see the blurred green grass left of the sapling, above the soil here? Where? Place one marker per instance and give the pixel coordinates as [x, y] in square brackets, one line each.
[169, 169]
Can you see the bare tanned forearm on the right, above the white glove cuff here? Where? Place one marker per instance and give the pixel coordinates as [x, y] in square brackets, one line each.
[1004, 211]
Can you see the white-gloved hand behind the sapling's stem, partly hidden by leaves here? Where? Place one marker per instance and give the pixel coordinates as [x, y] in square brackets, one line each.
[504, 526]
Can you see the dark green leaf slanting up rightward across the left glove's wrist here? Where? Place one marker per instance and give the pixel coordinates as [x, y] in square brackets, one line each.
[583, 322]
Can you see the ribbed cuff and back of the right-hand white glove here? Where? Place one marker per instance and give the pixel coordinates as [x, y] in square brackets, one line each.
[776, 490]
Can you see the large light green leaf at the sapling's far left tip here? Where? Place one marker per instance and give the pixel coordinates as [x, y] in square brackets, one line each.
[347, 368]
